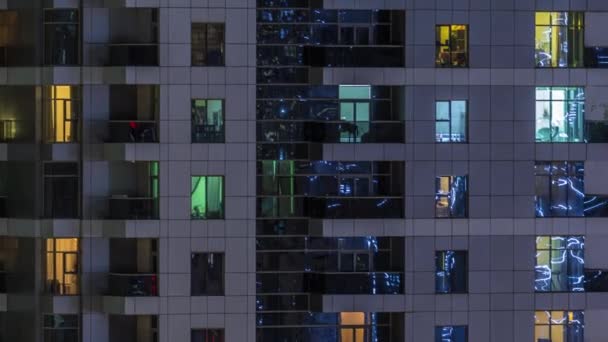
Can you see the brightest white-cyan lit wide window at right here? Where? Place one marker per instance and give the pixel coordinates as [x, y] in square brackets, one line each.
[560, 114]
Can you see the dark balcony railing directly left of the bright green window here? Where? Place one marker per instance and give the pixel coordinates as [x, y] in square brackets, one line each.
[133, 208]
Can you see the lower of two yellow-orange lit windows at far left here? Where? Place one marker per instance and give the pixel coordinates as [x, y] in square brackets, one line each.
[62, 266]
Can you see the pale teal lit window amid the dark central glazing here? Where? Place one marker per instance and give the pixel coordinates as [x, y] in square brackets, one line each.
[354, 112]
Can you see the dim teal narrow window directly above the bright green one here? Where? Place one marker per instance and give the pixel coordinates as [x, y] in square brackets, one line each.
[207, 121]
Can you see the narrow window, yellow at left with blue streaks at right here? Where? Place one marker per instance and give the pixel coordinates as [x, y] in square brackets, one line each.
[451, 196]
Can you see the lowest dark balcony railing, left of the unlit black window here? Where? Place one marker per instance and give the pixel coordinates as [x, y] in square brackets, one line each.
[131, 285]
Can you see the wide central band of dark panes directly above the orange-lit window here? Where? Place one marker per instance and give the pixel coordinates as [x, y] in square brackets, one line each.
[357, 265]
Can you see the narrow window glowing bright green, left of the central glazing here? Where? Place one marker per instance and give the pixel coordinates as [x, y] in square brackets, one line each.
[207, 197]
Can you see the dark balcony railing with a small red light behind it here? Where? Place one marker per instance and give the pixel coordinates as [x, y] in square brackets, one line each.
[131, 131]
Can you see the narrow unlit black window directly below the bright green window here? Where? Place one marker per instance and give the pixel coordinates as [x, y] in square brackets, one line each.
[207, 274]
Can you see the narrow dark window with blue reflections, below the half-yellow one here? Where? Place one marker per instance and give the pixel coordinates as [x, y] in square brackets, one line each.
[451, 272]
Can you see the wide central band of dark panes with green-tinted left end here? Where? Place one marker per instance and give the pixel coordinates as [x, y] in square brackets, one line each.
[327, 189]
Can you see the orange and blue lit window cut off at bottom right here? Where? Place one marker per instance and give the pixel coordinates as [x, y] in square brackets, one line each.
[563, 326]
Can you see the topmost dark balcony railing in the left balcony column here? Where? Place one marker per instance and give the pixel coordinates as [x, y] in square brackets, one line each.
[129, 54]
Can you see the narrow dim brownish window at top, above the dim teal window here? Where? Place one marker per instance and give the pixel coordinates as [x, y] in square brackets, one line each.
[207, 44]
